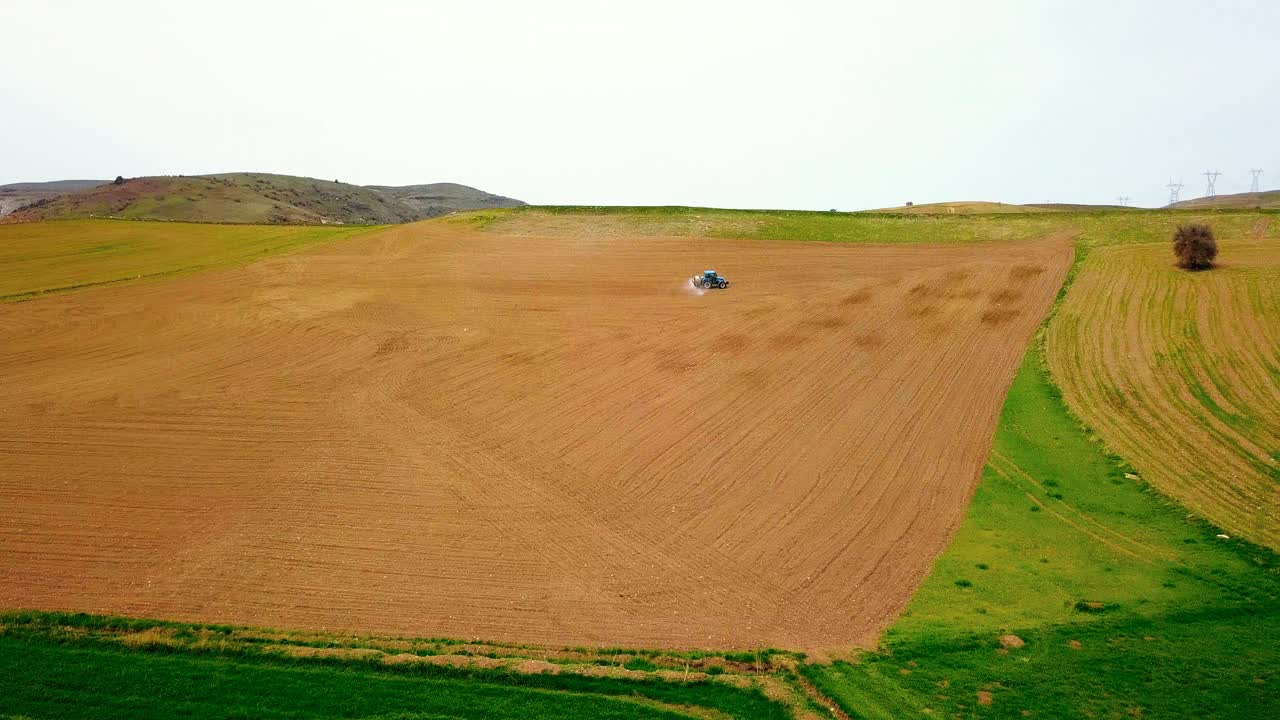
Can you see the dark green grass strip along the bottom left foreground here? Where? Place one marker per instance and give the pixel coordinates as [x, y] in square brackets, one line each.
[60, 666]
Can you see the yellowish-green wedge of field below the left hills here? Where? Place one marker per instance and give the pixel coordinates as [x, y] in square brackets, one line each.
[42, 258]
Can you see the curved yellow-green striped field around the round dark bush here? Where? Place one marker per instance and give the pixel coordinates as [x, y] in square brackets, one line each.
[1181, 372]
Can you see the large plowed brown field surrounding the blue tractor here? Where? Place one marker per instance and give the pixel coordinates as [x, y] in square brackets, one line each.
[542, 440]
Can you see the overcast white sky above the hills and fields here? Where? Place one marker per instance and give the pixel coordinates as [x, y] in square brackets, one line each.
[789, 104]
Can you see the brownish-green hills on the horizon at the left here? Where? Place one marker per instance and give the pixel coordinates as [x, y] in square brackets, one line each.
[243, 198]
